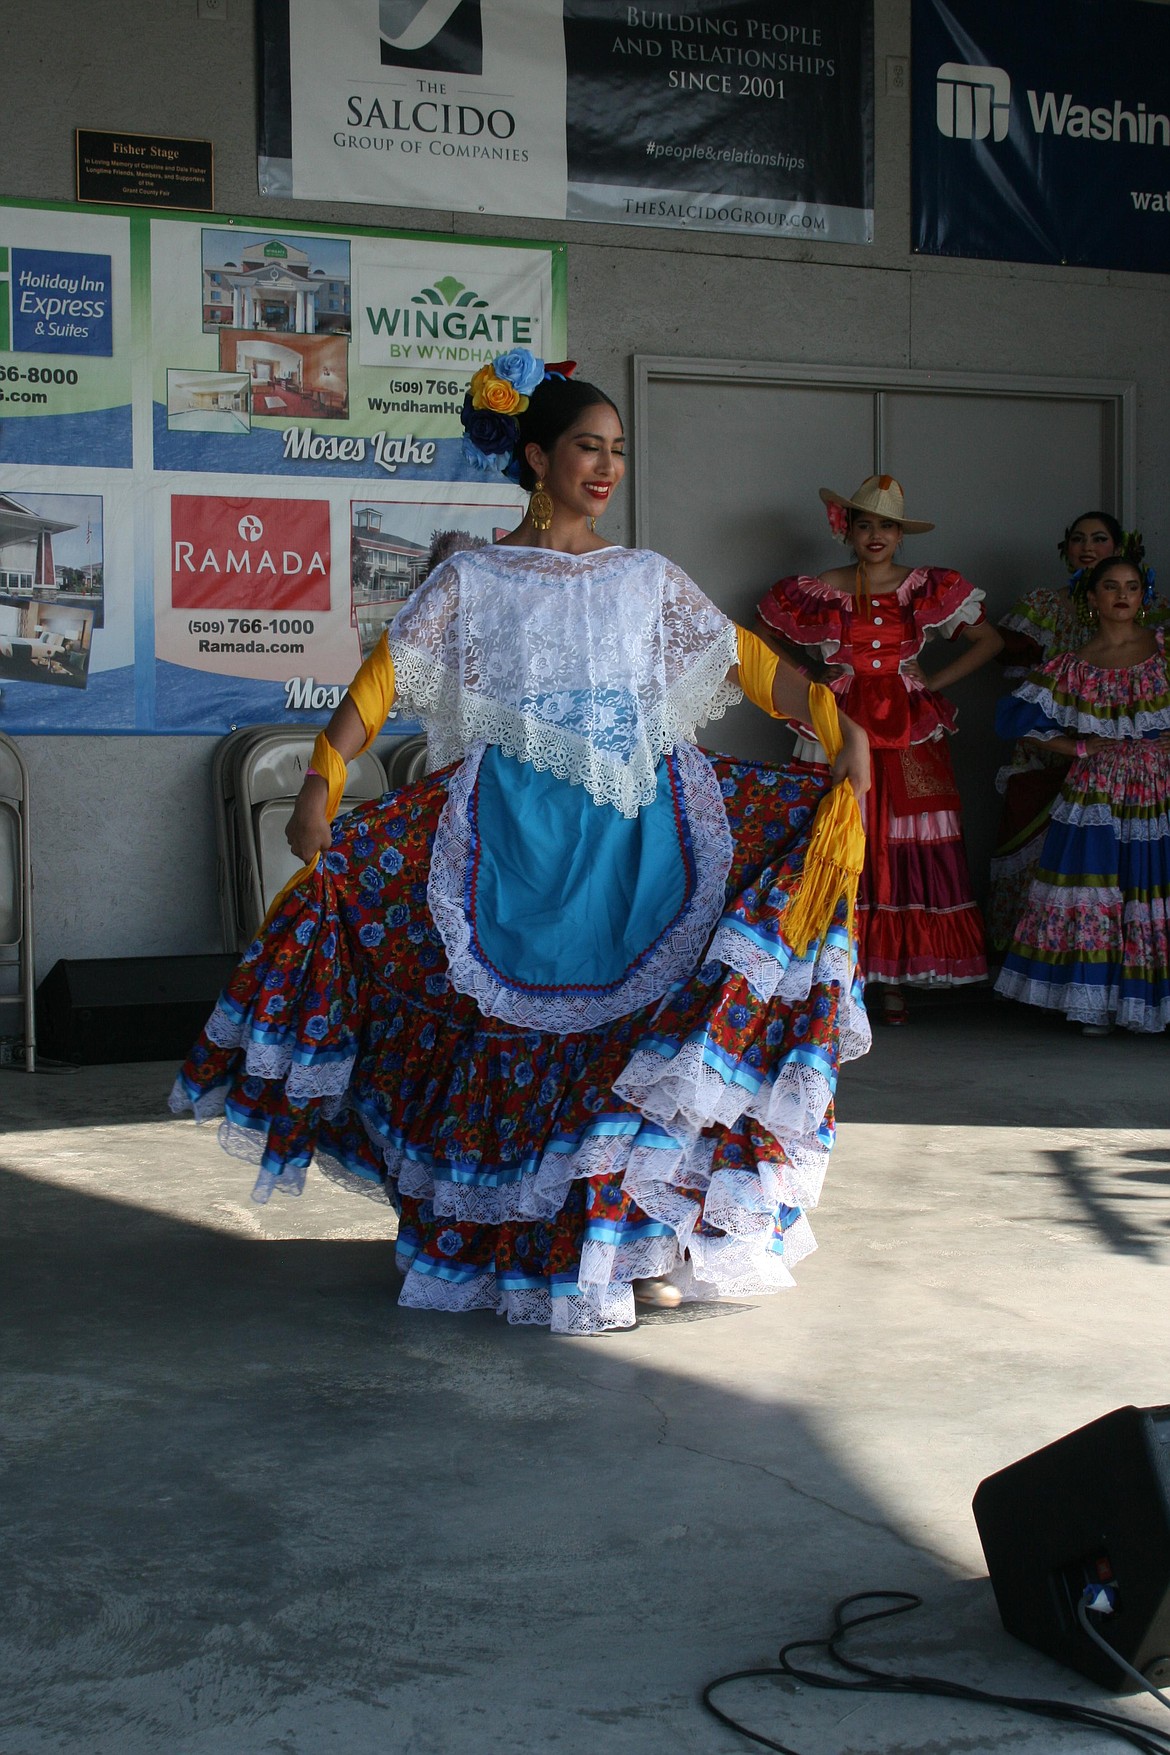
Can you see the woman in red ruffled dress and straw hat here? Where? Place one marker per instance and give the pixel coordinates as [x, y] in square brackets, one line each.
[869, 622]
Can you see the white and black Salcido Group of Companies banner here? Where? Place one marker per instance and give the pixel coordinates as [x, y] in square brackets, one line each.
[717, 117]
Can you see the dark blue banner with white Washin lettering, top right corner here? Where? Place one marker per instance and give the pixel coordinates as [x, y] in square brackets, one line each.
[1043, 133]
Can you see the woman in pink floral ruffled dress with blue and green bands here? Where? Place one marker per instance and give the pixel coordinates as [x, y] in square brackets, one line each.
[1094, 940]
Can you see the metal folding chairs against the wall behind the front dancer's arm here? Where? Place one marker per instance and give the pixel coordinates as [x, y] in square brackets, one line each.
[257, 775]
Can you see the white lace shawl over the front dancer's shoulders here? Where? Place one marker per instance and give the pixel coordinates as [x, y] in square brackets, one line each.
[592, 666]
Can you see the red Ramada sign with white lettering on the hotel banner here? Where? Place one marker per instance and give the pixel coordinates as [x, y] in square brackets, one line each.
[248, 554]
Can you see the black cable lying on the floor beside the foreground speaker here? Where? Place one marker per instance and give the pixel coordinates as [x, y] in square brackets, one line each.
[883, 1682]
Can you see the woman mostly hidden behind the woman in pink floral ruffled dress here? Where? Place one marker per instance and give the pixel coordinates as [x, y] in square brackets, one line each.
[1039, 627]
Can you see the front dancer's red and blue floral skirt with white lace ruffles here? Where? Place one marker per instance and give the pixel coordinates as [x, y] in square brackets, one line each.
[541, 1173]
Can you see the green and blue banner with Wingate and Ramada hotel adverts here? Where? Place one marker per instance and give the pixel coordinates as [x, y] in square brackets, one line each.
[225, 448]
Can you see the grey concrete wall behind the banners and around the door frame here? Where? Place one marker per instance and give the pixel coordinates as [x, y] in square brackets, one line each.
[125, 843]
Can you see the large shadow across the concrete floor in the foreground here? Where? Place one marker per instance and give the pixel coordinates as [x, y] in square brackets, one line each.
[255, 1507]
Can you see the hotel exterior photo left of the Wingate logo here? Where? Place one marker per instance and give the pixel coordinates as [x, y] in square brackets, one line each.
[276, 285]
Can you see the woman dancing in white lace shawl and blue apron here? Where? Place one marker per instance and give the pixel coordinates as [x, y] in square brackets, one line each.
[574, 1003]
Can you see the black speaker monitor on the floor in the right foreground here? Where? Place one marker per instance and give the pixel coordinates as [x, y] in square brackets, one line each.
[1087, 1515]
